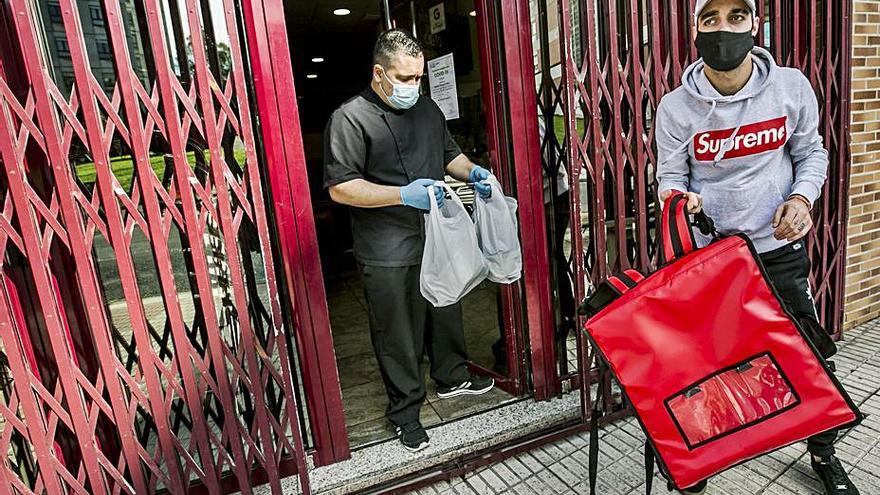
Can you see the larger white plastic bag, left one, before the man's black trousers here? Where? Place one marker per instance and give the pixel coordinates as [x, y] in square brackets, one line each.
[452, 264]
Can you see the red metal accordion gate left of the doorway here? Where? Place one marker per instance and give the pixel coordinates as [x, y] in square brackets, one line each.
[143, 343]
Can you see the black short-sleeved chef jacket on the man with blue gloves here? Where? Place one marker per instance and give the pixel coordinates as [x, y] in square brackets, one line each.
[367, 139]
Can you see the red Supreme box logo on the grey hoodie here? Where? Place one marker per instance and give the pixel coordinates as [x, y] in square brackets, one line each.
[750, 140]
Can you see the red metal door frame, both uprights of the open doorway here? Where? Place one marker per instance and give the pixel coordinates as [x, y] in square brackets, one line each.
[506, 51]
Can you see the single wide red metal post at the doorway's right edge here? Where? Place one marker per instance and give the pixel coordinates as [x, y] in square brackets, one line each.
[524, 142]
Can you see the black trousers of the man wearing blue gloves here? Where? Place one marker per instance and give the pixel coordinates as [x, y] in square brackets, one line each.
[403, 325]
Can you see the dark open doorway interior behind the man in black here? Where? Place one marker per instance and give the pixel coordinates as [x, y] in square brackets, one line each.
[331, 43]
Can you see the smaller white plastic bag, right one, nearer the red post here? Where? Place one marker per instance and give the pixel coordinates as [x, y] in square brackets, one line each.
[497, 234]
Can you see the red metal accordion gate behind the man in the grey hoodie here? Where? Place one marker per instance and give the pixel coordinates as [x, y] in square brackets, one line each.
[616, 61]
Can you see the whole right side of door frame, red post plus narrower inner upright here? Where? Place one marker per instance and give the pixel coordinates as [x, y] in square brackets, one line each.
[512, 127]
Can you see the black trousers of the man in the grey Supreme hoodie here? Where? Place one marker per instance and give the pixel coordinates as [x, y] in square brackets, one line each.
[789, 270]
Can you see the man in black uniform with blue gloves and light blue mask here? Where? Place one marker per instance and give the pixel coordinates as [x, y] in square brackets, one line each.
[383, 150]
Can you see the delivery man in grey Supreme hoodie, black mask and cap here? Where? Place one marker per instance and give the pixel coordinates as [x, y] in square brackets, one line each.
[740, 137]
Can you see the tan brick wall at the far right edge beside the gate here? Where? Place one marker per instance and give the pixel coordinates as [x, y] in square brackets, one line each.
[863, 252]
